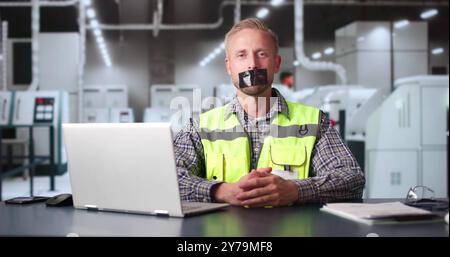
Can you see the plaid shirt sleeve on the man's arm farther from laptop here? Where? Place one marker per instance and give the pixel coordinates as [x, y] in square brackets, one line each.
[335, 174]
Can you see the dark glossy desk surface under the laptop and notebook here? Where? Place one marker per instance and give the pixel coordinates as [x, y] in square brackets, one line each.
[38, 220]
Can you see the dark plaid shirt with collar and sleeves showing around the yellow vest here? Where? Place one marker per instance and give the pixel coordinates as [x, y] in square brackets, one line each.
[334, 172]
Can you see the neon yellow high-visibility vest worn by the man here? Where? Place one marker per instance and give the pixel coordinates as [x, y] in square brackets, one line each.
[287, 146]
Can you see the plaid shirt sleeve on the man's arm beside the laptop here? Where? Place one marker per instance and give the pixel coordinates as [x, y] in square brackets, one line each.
[190, 165]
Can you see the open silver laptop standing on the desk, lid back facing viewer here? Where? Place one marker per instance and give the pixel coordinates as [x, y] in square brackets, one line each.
[126, 167]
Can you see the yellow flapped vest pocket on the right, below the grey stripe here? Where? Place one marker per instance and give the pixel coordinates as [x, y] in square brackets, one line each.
[289, 157]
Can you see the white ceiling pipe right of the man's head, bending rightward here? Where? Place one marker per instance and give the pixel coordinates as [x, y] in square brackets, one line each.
[299, 48]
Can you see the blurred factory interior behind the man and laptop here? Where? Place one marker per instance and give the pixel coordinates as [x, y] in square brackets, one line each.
[378, 68]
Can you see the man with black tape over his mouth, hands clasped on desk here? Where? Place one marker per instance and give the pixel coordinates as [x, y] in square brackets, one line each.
[260, 150]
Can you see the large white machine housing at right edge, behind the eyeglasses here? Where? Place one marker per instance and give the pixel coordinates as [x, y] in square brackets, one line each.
[407, 137]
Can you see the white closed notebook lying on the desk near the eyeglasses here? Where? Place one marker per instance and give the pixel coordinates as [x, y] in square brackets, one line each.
[380, 213]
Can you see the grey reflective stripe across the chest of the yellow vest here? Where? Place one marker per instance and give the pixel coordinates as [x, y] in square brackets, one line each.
[276, 131]
